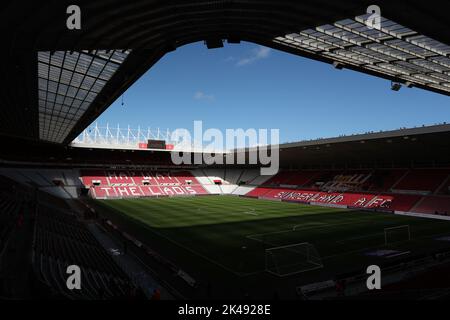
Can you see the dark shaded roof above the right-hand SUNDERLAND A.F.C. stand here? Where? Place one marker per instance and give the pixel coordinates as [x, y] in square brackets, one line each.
[426, 145]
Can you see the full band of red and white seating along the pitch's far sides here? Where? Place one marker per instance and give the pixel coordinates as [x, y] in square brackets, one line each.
[386, 189]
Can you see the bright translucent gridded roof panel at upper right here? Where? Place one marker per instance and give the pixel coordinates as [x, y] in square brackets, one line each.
[392, 50]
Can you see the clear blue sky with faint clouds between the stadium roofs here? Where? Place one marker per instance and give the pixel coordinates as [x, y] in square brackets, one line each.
[248, 86]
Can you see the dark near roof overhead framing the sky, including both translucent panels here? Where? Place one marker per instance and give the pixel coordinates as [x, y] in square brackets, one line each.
[57, 81]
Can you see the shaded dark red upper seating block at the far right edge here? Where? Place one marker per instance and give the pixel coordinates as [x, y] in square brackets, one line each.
[427, 180]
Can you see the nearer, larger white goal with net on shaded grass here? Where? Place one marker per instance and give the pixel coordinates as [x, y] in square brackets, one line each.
[292, 259]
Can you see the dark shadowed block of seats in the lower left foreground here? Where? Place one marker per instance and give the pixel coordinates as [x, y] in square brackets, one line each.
[60, 241]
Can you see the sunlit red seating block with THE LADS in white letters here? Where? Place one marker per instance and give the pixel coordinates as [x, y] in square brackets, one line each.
[122, 183]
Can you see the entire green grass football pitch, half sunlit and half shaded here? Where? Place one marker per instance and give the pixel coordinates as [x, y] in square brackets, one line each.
[223, 239]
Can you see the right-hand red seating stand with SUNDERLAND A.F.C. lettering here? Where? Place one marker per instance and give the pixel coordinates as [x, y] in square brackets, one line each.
[394, 190]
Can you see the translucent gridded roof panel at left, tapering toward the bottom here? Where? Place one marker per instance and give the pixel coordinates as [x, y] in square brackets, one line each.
[68, 82]
